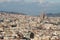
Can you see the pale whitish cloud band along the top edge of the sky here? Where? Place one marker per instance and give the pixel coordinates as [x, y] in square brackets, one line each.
[41, 1]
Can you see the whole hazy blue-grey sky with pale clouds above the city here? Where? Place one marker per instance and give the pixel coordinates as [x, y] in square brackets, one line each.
[35, 5]
